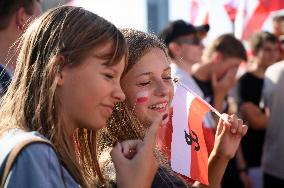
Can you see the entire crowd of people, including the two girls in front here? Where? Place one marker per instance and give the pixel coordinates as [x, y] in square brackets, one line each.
[93, 105]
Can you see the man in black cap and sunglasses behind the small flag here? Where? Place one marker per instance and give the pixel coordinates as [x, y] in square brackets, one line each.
[185, 49]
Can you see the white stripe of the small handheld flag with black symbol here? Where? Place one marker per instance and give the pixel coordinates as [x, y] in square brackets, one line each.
[181, 152]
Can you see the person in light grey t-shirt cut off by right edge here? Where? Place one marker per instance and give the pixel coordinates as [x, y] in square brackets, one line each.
[272, 101]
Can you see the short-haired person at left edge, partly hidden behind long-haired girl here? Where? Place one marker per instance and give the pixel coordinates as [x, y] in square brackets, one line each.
[15, 15]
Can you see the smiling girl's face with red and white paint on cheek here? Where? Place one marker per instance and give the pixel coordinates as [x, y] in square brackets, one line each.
[148, 87]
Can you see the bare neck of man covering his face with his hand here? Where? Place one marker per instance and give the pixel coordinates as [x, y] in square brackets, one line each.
[202, 71]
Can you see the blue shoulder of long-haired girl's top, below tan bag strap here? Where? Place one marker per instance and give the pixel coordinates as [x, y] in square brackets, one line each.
[37, 165]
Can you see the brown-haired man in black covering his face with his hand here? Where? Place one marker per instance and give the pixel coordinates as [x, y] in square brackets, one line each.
[216, 75]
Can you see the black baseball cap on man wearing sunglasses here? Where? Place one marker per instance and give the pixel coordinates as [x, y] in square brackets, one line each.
[179, 28]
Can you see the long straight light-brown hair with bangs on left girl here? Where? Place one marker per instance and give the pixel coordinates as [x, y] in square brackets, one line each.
[30, 102]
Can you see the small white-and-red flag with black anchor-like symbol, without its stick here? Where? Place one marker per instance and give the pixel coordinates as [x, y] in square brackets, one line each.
[189, 155]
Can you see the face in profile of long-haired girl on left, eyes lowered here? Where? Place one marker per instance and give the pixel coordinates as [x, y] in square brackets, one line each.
[88, 92]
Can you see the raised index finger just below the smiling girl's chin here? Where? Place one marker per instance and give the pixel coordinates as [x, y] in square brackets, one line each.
[151, 134]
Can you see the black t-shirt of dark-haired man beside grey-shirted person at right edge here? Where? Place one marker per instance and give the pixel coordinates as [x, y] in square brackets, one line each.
[249, 90]
